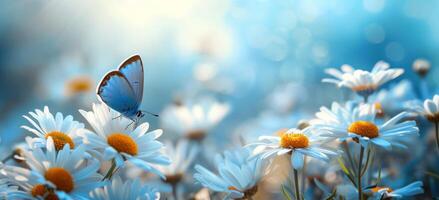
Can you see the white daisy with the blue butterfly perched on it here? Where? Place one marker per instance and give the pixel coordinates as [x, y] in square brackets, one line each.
[116, 140]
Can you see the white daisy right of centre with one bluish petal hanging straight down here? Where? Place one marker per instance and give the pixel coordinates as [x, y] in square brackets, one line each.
[296, 142]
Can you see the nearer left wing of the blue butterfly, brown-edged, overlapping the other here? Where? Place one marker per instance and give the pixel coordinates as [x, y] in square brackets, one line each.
[115, 91]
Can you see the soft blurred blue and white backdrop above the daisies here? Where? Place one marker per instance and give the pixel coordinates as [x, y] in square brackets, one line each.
[264, 59]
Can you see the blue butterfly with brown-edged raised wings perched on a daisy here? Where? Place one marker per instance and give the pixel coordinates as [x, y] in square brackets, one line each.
[122, 89]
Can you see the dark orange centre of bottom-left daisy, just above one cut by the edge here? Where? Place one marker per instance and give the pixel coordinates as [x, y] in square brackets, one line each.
[62, 179]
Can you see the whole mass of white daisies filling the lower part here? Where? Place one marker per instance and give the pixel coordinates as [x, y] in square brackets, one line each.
[348, 150]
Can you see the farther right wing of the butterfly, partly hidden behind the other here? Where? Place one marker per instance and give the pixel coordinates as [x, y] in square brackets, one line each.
[132, 69]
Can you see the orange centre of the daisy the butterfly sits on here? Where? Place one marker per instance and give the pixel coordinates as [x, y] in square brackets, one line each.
[122, 143]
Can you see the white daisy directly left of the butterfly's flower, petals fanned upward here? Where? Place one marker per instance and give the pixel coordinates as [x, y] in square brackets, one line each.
[61, 130]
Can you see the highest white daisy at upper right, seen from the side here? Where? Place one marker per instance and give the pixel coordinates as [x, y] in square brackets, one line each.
[363, 82]
